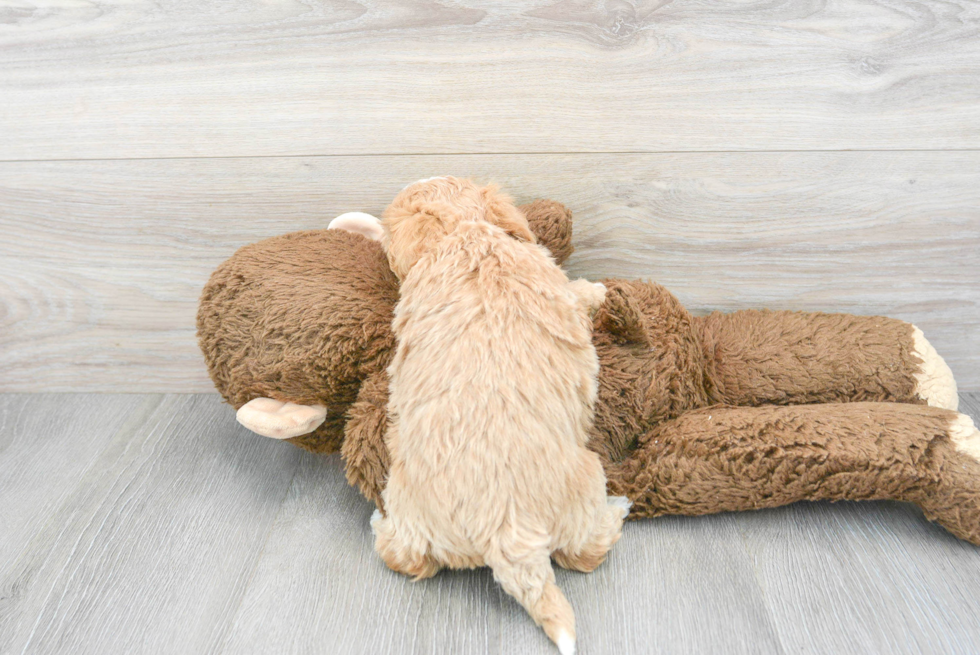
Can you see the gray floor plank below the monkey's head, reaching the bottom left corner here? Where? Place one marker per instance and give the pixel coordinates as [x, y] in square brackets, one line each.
[153, 547]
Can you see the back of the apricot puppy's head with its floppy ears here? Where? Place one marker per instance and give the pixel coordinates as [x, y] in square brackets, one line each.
[426, 211]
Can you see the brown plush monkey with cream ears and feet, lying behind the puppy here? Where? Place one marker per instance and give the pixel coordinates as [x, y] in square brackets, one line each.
[695, 415]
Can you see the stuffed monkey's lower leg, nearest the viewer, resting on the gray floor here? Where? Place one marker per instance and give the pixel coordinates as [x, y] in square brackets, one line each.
[723, 458]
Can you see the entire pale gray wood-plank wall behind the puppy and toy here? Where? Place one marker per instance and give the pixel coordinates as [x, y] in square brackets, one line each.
[800, 155]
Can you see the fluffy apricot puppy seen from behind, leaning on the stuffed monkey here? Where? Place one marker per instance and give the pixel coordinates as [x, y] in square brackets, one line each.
[493, 384]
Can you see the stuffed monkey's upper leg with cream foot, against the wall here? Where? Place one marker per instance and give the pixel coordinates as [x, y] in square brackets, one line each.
[791, 358]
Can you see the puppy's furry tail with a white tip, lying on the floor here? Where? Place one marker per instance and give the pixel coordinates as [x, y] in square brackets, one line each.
[530, 579]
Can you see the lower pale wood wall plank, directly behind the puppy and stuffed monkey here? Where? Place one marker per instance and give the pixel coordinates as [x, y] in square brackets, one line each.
[102, 262]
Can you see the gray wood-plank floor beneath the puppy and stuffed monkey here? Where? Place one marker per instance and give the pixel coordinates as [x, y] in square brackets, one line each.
[156, 524]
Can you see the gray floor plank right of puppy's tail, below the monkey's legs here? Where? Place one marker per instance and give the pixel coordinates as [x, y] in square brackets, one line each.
[663, 580]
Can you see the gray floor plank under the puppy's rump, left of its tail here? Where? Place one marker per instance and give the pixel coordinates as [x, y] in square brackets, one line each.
[320, 587]
